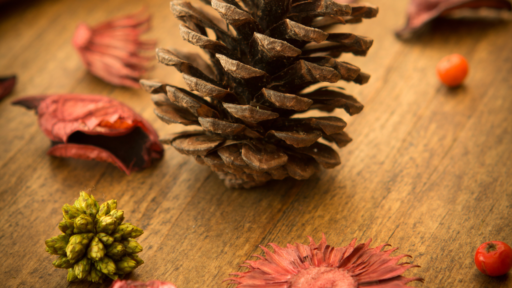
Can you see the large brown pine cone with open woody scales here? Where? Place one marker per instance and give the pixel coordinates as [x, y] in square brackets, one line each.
[254, 83]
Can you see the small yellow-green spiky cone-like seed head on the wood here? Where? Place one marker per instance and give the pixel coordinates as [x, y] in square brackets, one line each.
[95, 242]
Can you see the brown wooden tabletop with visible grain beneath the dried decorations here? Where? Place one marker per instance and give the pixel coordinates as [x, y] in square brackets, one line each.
[429, 170]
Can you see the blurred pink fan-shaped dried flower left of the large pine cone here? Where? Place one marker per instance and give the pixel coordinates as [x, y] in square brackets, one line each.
[112, 50]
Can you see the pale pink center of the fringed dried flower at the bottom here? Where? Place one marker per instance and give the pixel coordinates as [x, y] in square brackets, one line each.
[323, 277]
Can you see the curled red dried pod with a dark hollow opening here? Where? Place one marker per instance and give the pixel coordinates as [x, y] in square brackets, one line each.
[93, 127]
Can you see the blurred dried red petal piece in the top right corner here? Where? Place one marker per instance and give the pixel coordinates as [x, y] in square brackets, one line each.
[421, 12]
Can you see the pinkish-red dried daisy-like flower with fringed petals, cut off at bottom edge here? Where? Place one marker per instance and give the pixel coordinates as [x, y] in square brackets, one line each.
[320, 265]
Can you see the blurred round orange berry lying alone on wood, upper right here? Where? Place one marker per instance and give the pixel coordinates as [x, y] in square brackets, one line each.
[452, 70]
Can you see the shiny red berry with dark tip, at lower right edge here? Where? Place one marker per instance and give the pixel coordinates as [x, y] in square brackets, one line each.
[494, 258]
